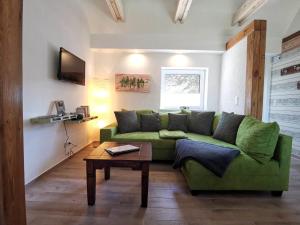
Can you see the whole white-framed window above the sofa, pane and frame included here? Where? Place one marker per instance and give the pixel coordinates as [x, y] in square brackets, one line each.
[182, 87]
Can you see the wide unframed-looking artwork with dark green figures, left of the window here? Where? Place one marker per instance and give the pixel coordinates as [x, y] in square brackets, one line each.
[132, 82]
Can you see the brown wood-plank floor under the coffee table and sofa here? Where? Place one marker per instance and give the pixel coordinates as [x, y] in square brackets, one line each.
[59, 198]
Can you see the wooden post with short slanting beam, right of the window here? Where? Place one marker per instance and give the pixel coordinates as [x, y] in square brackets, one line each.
[255, 69]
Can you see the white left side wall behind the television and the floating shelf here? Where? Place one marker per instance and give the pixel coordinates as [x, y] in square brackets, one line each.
[47, 26]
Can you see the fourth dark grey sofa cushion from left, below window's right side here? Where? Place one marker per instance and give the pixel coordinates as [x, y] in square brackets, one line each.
[201, 122]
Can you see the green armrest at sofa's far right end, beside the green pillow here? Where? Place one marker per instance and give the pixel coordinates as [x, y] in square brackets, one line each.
[283, 151]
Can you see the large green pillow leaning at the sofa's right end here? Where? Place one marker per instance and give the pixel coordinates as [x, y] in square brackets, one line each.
[257, 139]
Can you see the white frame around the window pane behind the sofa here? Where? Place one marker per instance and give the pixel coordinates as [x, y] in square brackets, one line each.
[187, 70]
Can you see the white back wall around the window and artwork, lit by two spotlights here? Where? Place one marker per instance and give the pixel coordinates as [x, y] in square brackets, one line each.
[107, 64]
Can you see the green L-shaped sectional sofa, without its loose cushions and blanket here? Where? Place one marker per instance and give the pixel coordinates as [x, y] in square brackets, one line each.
[244, 173]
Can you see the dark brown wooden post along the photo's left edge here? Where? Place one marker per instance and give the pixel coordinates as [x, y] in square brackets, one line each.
[12, 189]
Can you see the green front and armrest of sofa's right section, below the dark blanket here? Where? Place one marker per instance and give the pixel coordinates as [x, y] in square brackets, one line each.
[245, 173]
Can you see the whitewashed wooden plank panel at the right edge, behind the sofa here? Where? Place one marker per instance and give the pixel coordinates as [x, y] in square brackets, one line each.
[285, 96]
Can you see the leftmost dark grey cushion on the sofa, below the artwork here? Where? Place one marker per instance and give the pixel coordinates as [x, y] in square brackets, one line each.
[127, 121]
